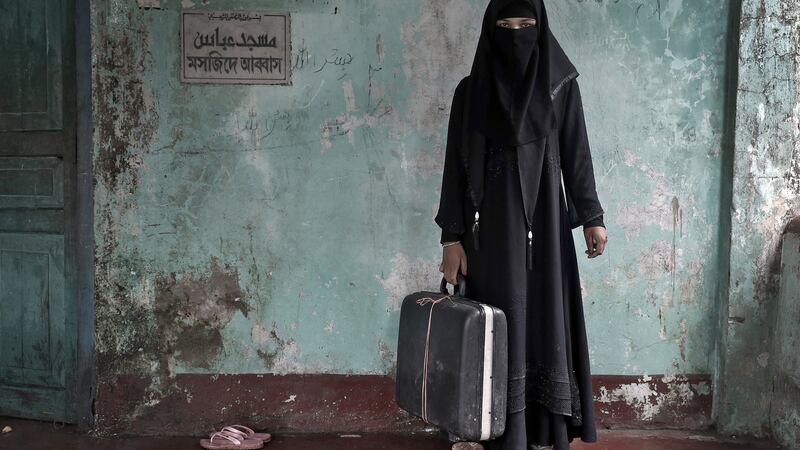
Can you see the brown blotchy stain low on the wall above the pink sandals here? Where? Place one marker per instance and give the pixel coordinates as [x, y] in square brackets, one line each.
[182, 322]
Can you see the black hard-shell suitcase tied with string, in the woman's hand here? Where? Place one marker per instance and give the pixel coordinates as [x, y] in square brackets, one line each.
[465, 366]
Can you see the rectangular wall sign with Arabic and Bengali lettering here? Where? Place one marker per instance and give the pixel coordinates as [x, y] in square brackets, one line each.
[235, 47]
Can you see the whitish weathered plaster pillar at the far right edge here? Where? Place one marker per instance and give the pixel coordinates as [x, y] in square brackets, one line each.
[766, 196]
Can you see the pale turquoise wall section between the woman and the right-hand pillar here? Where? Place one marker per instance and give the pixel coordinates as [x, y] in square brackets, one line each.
[653, 75]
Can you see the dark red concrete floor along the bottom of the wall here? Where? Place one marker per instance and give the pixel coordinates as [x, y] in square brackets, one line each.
[35, 435]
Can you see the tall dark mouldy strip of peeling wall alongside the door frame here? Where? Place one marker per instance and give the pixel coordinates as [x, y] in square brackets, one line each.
[125, 122]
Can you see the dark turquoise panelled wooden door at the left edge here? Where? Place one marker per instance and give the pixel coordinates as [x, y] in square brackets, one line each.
[37, 173]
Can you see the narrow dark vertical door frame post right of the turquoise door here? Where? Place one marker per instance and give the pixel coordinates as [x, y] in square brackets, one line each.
[85, 377]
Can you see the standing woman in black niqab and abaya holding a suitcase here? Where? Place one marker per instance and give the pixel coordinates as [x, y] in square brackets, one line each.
[516, 127]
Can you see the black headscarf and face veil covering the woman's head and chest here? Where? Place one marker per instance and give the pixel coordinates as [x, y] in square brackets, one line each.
[509, 87]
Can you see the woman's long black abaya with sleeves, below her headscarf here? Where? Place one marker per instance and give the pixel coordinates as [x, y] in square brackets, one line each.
[550, 398]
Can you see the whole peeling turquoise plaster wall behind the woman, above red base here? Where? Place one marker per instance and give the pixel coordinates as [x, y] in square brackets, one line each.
[252, 229]
